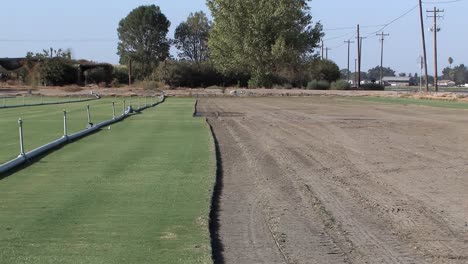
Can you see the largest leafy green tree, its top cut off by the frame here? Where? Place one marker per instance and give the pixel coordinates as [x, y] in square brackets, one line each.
[260, 37]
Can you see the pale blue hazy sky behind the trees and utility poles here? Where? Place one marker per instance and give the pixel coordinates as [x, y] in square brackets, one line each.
[89, 28]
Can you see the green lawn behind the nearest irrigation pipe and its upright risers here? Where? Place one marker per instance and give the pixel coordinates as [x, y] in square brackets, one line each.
[43, 124]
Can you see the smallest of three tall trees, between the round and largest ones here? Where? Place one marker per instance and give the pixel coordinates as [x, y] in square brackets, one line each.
[191, 38]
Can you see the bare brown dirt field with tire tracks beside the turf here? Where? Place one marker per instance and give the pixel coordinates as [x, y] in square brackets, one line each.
[330, 180]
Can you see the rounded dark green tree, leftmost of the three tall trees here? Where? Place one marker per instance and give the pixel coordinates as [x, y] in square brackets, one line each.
[143, 39]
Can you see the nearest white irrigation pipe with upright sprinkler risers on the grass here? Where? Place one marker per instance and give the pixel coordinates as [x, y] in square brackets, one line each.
[25, 157]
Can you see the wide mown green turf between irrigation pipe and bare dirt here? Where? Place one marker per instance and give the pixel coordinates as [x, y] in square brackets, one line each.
[137, 193]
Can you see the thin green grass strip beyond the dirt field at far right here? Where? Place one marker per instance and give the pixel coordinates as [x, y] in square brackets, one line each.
[411, 101]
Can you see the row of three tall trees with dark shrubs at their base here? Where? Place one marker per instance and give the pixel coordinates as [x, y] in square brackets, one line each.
[249, 43]
